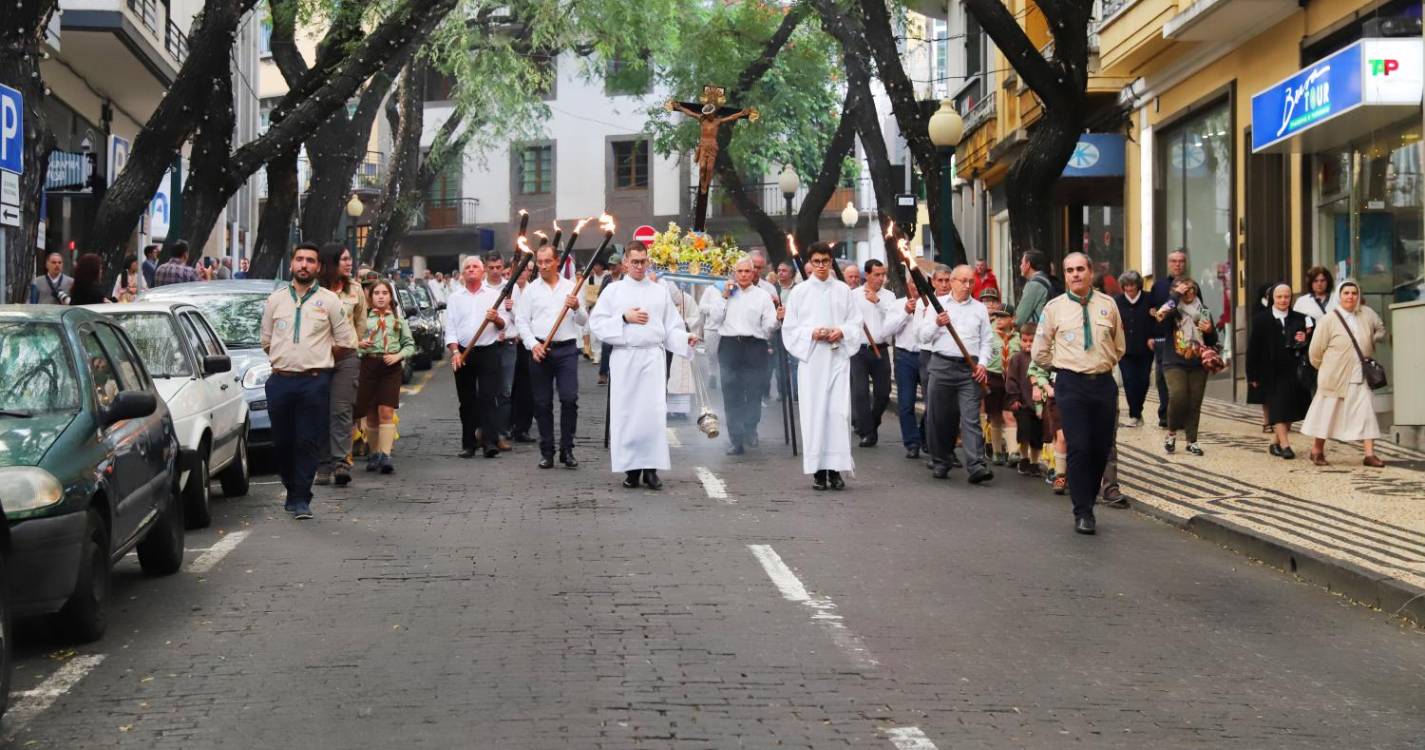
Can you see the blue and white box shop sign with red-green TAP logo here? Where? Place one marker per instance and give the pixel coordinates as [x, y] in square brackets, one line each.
[1343, 98]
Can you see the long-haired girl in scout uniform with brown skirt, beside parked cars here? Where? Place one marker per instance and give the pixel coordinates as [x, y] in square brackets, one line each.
[387, 346]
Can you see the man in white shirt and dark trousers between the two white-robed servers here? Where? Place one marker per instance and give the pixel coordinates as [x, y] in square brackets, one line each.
[746, 317]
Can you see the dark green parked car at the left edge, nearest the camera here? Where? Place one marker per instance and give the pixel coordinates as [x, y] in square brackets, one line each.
[89, 464]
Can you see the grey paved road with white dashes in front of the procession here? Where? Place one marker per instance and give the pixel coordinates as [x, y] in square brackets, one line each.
[488, 604]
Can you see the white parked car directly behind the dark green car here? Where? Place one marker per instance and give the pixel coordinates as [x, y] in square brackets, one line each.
[195, 376]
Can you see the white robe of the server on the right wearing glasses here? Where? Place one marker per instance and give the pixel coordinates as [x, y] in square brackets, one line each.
[824, 374]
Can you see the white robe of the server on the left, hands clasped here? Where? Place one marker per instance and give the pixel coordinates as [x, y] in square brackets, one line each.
[638, 370]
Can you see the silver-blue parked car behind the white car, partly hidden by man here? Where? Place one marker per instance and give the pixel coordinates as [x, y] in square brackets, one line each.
[234, 309]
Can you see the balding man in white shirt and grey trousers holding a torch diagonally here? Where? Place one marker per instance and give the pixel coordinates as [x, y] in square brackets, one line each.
[954, 391]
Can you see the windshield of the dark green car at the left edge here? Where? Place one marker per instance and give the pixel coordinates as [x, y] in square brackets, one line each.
[36, 371]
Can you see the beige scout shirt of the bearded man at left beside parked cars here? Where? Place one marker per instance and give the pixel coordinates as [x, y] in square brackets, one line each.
[301, 330]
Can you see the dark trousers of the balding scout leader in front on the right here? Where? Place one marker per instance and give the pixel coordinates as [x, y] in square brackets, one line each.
[1089, 409]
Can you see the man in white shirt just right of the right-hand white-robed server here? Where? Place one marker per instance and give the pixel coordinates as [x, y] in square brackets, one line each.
[886, 317]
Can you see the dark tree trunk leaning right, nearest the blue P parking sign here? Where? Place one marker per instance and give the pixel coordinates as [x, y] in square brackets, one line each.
[172, 123]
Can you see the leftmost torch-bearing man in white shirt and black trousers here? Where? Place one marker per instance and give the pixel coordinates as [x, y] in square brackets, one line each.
[478, 370]
